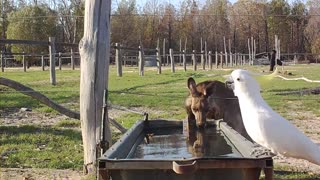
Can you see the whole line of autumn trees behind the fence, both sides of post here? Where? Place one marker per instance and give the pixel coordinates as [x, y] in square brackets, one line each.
[183, 25]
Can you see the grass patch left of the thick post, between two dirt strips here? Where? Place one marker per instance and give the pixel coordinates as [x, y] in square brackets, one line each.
[40, 147]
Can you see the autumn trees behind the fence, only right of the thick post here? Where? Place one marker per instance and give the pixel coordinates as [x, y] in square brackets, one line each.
[297, 25]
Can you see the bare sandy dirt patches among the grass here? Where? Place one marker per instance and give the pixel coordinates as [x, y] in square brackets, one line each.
[310, 125]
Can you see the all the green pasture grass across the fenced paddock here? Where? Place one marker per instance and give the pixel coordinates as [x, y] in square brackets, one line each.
[59, 146]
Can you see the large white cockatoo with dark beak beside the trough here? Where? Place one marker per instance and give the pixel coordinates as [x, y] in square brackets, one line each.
[265, 126]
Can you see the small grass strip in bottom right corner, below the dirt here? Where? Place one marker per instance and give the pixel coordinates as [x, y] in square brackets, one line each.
[293, 175]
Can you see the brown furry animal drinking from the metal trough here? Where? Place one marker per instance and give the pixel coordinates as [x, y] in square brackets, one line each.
[213, 100]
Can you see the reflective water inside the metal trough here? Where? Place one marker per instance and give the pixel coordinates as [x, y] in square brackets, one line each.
[174, 143]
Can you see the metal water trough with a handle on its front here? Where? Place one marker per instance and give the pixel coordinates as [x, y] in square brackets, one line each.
[121, 163]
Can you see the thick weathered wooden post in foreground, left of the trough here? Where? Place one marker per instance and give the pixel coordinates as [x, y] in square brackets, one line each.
[94, 49]
